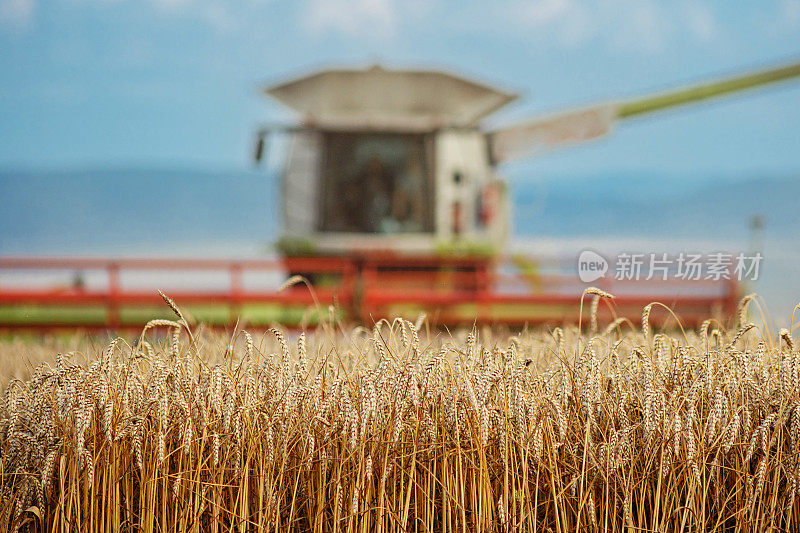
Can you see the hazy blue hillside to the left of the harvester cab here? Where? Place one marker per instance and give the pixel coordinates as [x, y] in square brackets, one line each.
[95, 210]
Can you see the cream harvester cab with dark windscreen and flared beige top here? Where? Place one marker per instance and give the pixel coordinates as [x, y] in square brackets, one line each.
[390, 160]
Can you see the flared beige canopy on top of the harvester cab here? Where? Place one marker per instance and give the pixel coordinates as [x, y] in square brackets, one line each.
[388, 99]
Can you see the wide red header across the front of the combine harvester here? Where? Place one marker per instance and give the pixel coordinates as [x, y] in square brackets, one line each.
[50, 292]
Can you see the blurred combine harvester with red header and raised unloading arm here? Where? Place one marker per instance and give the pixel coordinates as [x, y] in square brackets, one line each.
[391, 205]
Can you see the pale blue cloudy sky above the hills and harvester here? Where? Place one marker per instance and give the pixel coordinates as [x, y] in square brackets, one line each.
[105, 83]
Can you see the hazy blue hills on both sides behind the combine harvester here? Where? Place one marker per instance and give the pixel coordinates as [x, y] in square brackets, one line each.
[105, 209]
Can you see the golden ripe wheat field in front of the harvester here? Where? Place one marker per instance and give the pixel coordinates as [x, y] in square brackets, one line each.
[399, 428]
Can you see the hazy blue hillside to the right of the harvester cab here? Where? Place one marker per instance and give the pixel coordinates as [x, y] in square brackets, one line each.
[660, 207]
